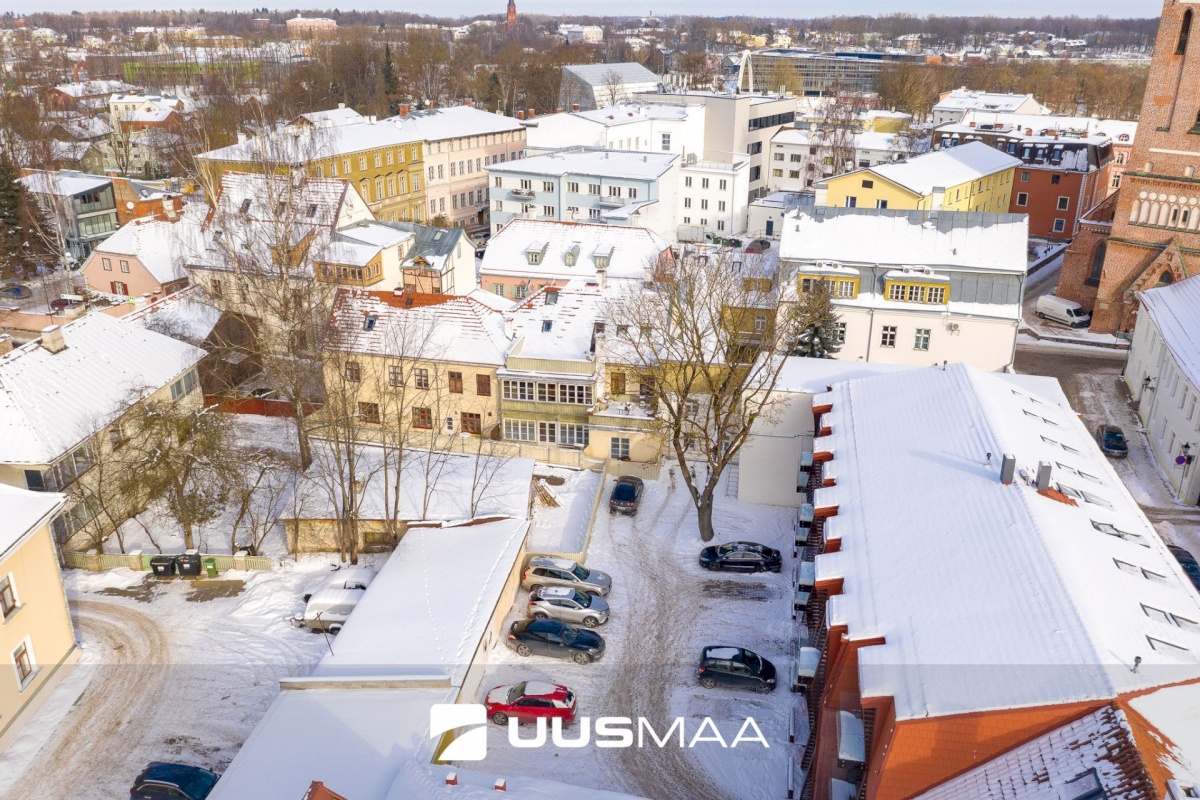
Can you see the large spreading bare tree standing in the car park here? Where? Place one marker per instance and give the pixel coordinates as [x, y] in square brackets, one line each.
[711, 339]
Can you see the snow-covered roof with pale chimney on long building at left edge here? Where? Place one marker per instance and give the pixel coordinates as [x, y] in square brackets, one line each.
[51, 402]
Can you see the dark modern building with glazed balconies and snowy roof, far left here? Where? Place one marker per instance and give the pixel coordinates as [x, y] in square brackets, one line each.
[82, 208]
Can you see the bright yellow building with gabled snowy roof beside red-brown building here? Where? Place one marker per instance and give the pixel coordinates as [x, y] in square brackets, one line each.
[969, 178]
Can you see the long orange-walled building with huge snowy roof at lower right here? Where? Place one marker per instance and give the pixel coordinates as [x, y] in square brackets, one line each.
[1013, 665]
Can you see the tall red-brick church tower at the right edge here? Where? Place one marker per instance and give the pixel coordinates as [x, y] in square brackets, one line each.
[1149, 233]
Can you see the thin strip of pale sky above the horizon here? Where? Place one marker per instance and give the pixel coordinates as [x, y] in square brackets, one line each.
[805, 9]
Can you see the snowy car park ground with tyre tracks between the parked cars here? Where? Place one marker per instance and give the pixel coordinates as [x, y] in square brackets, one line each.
[665, 609]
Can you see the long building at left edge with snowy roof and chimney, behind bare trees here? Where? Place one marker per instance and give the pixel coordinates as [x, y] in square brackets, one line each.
[64, 398]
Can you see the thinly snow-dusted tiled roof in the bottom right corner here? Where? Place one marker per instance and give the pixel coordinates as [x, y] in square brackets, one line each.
[1045, 769]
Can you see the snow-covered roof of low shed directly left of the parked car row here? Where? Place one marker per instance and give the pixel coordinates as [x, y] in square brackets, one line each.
[410, 624]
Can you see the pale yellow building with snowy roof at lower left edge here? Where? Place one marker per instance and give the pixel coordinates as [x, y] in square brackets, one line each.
[37, 639]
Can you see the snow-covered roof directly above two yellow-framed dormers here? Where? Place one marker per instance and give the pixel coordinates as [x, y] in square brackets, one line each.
[977, 240]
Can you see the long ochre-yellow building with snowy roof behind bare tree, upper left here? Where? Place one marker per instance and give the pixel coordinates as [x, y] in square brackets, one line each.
[383, 163]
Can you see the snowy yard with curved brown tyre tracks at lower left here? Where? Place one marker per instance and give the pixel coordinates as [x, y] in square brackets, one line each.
[165, 677]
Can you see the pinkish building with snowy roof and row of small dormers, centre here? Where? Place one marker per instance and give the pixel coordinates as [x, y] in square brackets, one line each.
[531, 255]
